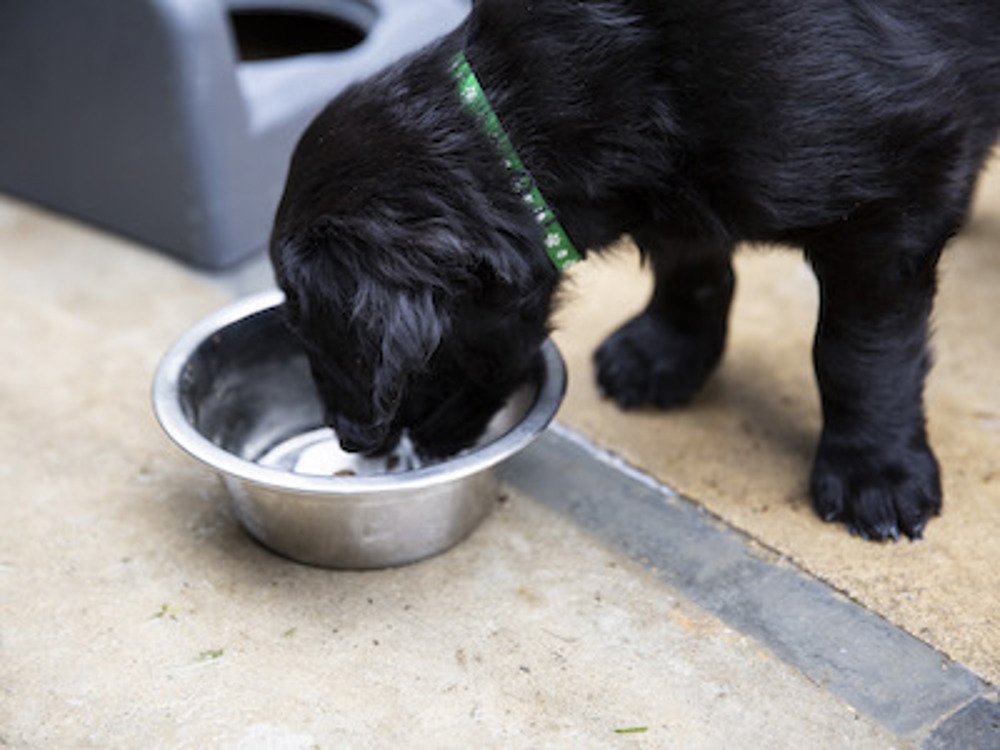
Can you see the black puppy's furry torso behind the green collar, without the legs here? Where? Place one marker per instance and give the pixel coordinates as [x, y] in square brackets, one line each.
[768, 117]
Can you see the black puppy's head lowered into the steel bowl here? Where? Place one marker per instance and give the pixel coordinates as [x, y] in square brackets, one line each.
[413, 275]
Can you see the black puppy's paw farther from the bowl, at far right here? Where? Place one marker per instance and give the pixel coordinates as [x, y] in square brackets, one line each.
[879, 494]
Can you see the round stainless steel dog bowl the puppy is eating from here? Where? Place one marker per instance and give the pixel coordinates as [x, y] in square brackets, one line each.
[235, 392]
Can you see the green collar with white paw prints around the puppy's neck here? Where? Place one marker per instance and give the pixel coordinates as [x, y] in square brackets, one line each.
[557, 243]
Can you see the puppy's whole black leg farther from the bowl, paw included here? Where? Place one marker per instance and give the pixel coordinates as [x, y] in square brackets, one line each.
[874, 470]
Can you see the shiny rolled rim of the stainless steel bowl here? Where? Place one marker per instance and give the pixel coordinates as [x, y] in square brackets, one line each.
[166, 403]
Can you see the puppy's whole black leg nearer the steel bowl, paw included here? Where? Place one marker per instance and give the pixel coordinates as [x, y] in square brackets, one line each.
[664, 355]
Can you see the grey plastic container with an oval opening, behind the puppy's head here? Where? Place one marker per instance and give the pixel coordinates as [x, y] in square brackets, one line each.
[156, 119]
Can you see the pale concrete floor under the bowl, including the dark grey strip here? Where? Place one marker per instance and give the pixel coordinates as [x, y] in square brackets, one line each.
[594, 608]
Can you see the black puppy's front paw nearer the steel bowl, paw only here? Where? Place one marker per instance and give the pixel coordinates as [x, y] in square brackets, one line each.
[648, 362]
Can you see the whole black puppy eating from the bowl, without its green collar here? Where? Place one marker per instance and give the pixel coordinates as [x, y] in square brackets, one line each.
[855, 129]
